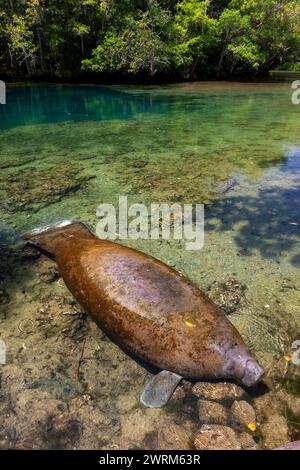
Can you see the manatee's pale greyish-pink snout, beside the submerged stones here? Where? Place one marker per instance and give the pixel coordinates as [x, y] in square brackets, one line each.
[242, 366]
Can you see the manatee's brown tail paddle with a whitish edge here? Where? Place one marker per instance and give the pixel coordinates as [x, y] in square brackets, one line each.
[49, 237]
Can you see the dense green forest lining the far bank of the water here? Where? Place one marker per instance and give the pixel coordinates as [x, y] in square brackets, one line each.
[147, 39]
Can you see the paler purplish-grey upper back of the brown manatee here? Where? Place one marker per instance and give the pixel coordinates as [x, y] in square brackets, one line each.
[142, 284]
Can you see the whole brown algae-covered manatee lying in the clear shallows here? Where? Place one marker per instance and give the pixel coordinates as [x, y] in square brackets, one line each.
[150, 310]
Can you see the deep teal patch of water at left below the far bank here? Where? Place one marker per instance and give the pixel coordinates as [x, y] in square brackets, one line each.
[40, 104]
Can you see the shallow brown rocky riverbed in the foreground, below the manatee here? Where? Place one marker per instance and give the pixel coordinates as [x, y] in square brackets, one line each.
[65, 385]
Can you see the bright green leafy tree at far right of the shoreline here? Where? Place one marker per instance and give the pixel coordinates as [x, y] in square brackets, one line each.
[258, 34]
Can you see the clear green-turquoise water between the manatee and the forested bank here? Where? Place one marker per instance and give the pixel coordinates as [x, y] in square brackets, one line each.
[234, 147]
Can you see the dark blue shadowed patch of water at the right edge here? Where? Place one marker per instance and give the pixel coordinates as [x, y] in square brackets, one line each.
[267, 221]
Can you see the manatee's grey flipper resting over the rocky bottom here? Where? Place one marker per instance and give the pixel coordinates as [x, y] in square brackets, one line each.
[159, 389]
